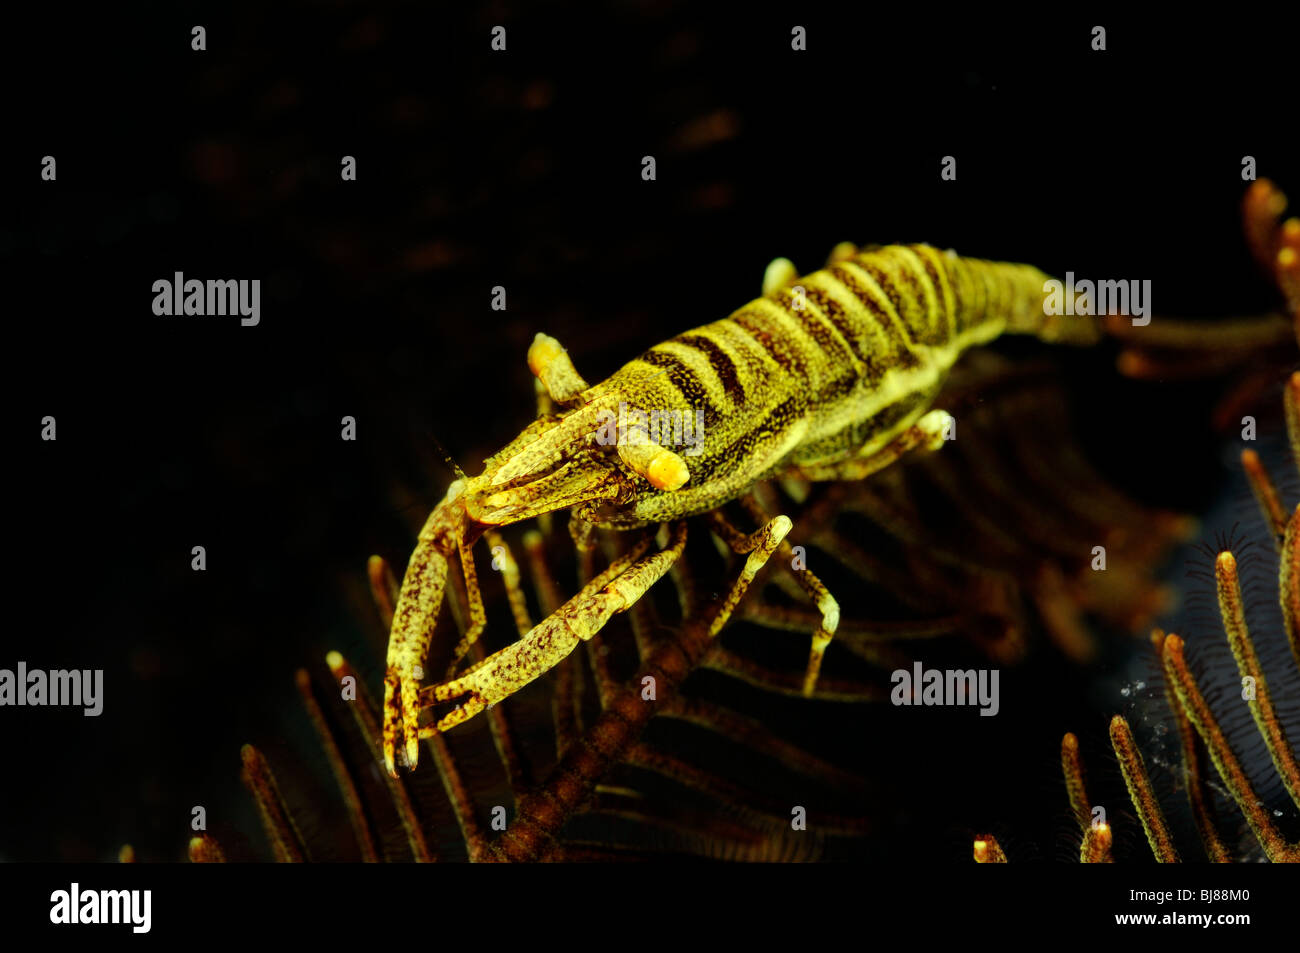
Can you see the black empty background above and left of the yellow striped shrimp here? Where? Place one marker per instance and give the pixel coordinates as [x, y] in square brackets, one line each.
[518, 170]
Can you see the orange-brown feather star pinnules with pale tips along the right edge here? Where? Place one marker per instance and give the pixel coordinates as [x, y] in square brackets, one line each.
[1206, 720]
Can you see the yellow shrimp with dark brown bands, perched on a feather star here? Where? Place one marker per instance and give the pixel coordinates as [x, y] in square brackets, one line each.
[829, 376]
